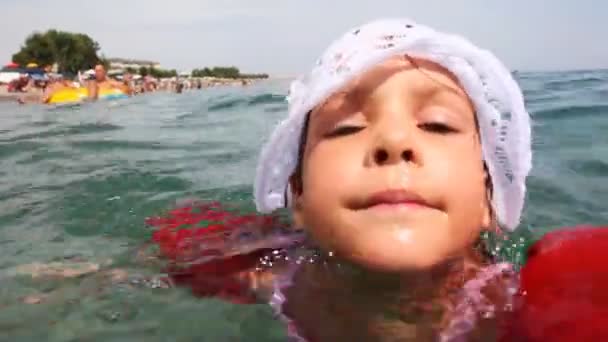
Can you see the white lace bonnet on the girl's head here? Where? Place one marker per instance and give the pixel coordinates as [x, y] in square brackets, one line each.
[503, 120]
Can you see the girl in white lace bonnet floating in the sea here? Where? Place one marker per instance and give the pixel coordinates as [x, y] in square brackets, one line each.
[402, 147]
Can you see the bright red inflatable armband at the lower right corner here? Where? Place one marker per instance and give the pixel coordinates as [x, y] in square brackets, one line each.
[564, 288]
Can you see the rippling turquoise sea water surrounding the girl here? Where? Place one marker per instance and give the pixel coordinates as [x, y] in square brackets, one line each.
[77, 183]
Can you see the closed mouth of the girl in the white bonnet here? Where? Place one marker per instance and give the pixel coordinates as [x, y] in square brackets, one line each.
[393, 199]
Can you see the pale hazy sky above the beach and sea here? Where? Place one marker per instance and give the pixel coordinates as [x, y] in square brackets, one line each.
[285, 36]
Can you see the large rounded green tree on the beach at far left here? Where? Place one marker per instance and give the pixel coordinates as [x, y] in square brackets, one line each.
[71, 51]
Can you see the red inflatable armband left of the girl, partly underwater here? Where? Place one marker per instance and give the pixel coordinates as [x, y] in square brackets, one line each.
[212, 250]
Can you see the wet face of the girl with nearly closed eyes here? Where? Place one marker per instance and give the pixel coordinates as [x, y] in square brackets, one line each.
[392, 175]
